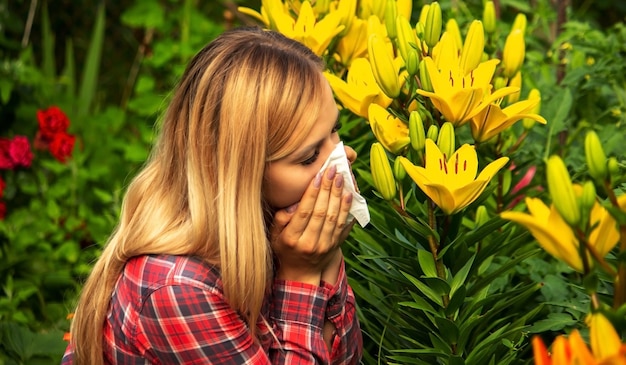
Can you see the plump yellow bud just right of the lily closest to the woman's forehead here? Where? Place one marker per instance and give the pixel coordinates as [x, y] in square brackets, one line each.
[383, 67]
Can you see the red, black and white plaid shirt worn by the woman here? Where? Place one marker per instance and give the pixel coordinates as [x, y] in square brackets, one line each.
[171, 310]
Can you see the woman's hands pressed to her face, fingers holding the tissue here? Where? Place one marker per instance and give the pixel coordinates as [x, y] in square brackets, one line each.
[306, 237]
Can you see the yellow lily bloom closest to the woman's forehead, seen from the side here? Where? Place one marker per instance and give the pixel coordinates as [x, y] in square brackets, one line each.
[360, 88]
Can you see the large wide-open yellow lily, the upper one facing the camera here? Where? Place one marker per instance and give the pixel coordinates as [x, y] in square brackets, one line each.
[458, 97]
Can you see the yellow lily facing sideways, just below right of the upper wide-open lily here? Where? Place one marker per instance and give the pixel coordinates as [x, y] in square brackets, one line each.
[492, 120]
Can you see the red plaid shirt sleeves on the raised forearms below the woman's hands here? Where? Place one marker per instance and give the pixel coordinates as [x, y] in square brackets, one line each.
[299, 311]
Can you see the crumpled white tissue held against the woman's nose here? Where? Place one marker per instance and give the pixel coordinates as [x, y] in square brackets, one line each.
[358, 210]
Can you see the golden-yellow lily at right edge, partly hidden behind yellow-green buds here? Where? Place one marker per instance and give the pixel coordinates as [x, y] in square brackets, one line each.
[556, 237]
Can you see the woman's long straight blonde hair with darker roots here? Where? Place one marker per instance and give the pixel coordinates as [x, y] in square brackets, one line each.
[248, 98]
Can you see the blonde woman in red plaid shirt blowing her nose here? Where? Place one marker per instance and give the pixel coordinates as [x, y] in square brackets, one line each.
[228, 246]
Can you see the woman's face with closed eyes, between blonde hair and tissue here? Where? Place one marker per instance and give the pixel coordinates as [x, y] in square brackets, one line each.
[287, 179]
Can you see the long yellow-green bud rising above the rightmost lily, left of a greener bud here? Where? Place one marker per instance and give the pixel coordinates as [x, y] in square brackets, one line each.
[562, 191]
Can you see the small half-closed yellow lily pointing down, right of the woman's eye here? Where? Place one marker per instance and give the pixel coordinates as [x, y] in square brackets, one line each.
[389, 130]
